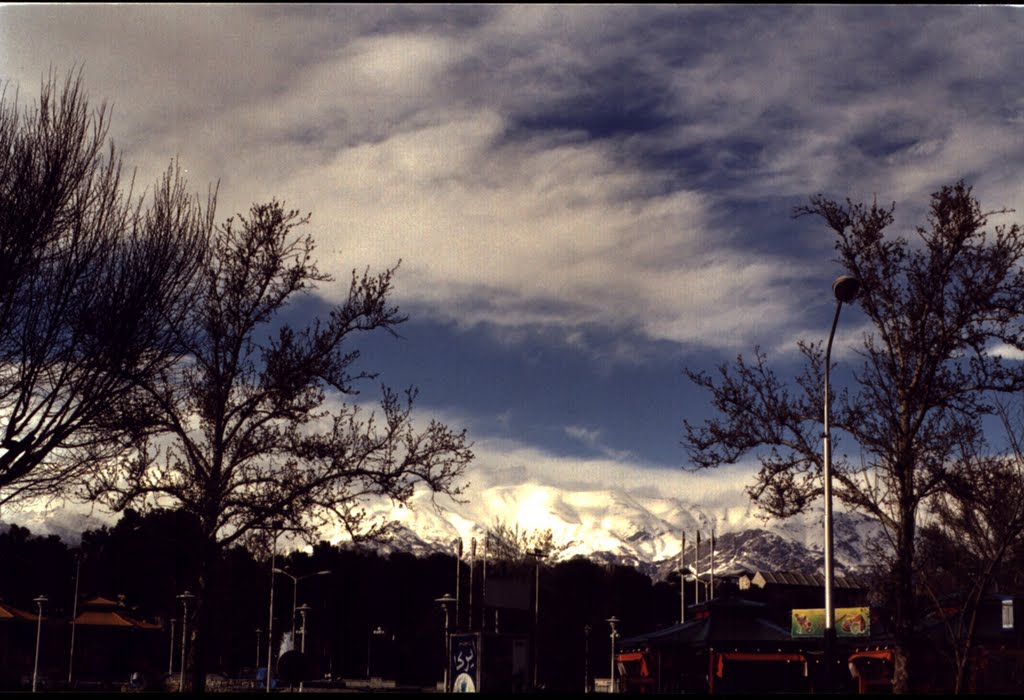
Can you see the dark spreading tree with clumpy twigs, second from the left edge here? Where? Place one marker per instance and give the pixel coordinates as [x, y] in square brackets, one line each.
[254, 426]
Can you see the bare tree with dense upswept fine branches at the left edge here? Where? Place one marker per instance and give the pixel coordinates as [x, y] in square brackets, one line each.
[92, 282]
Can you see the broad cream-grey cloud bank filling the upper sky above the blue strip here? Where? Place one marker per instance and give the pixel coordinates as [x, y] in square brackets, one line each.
[402, 130]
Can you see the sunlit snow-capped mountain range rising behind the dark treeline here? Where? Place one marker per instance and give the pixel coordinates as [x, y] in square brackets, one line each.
[618, 527]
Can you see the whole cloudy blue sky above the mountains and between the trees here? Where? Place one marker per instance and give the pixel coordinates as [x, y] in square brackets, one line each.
[585, 200]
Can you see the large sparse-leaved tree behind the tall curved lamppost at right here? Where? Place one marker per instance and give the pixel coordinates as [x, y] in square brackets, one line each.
[940, 308]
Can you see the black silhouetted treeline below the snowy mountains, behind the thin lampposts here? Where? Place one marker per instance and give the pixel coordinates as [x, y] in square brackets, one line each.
[147, 561]
